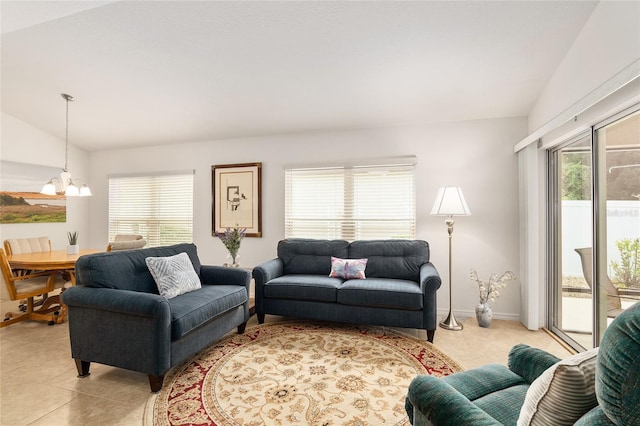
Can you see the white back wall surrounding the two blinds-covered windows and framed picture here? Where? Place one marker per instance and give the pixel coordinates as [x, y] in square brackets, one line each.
[475, 155]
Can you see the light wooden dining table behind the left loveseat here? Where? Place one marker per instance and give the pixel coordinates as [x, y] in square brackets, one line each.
[55, 260]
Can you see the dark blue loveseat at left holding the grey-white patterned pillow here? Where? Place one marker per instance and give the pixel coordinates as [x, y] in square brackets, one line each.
[117, 317]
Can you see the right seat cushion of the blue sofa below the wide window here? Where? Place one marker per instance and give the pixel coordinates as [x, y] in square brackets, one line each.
[381, 293]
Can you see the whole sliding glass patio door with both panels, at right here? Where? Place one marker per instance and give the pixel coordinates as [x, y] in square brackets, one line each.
[594, 223]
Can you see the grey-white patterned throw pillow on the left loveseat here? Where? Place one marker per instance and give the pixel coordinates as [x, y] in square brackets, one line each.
[174, 275]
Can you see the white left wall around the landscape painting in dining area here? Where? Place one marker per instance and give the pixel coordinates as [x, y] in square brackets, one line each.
[21, 142]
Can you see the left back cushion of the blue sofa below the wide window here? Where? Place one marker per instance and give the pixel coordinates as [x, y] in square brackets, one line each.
[309, 256]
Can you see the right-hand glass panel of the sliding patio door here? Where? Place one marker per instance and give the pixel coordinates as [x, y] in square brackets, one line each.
[618, 216]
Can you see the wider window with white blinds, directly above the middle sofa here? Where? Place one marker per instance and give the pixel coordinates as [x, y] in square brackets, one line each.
[355, 202]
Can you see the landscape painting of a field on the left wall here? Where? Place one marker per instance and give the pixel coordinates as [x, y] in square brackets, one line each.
[20, 198]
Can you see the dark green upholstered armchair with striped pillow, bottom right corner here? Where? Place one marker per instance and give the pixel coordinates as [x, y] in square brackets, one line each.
[495, 394]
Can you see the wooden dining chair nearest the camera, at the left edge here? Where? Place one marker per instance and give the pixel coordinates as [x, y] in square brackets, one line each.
[28, 285]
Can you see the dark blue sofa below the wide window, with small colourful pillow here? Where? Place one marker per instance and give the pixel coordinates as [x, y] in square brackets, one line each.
[399, 289]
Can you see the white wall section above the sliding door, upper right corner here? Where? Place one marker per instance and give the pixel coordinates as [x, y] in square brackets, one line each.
[609, 41]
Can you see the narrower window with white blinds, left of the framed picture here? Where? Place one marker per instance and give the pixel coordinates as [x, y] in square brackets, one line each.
[158, 207]
